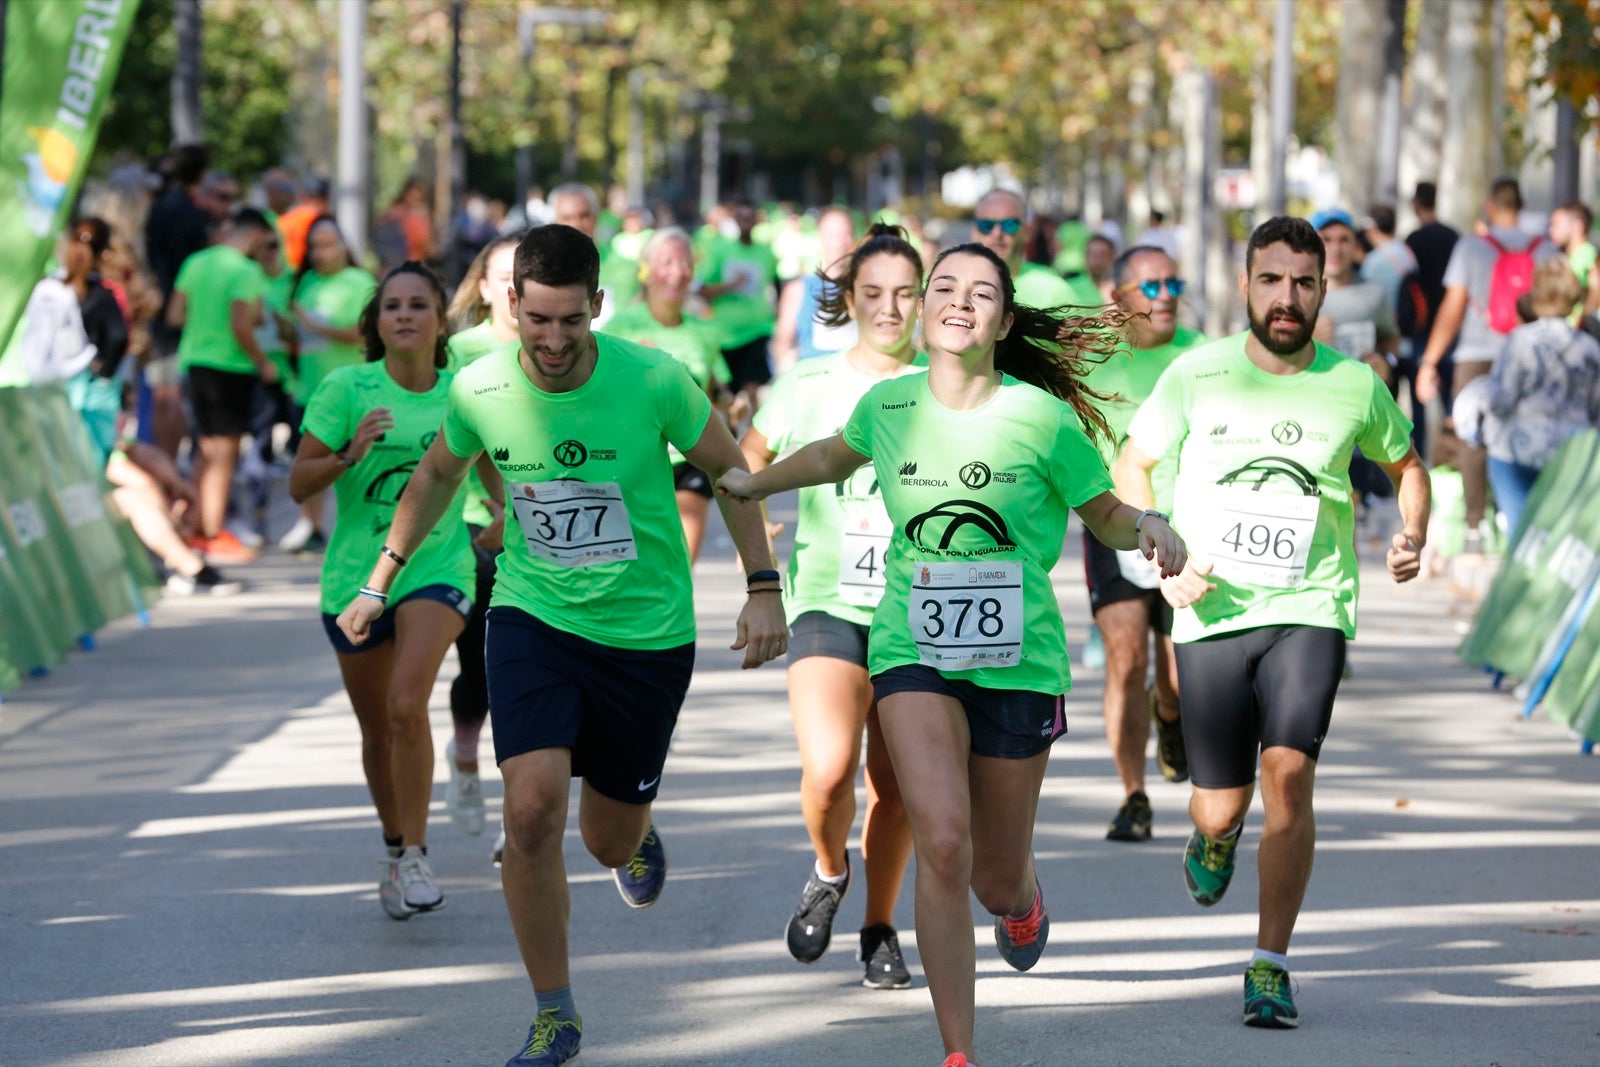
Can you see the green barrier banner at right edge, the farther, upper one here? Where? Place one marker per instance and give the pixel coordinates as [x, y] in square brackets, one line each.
[1548, 564]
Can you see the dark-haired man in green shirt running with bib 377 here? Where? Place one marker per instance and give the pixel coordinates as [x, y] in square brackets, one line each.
[591, 629]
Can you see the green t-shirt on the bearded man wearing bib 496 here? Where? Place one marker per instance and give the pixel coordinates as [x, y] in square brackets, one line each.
[1263, 481]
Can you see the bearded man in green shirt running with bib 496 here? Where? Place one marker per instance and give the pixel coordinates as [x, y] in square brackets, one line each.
[1263, 426]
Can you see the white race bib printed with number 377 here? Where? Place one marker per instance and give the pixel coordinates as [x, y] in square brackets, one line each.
[574, 524]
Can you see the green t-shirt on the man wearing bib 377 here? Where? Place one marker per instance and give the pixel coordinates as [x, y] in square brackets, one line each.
[594, 545]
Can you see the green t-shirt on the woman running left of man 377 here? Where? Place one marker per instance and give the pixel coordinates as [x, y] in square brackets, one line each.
[369, 492]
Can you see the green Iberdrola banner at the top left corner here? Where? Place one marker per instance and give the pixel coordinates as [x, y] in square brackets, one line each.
[60, 63]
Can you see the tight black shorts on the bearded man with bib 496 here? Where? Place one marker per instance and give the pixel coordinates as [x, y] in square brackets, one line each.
[1255, 690]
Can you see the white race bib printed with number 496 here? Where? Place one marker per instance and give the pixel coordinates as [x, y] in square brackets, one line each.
[1258, 538]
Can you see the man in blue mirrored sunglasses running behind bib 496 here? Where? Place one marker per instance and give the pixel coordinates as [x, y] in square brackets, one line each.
[1124, 588]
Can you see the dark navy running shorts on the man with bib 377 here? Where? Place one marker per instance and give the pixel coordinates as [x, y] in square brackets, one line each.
[615, 708]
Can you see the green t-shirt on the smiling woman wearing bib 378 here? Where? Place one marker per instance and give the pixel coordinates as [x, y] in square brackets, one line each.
[980, 505]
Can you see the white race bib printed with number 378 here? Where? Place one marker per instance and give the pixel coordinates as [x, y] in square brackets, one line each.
[967, 615]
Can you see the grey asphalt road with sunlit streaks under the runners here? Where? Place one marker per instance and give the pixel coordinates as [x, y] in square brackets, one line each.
[191, 860]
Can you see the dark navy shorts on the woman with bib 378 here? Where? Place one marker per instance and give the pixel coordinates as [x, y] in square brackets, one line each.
[1004, 724]
